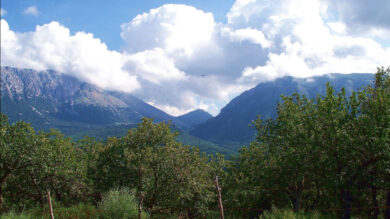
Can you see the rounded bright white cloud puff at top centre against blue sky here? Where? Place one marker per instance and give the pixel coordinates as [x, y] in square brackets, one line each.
[178, 29]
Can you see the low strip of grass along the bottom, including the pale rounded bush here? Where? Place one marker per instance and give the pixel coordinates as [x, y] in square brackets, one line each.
[120, 204]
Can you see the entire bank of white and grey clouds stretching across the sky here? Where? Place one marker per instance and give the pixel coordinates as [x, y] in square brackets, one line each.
[178, 58]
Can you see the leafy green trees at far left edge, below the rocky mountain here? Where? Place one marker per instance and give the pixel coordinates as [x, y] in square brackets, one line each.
[33, 163]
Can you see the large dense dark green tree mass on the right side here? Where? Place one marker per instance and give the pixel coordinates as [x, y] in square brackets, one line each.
[331, 152]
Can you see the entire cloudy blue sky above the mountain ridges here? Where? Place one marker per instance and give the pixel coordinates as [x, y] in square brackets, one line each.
[194, 54]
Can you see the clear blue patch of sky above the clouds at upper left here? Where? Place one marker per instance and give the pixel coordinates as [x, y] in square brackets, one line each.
[100, 17]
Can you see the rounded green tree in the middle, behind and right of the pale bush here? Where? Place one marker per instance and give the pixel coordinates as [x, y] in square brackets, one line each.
[163, 173]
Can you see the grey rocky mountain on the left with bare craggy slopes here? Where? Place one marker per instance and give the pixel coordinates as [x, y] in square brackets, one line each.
[49, 99]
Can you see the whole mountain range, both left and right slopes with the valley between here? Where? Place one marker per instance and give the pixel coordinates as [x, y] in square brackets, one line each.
[49, 99]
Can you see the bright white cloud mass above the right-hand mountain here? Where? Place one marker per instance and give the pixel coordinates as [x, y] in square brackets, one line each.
[306, 44]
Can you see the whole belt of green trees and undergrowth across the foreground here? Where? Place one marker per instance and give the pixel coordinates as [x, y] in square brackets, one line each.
[325, 157]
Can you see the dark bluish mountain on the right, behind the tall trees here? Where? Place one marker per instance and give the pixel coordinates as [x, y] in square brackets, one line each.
[232, 127]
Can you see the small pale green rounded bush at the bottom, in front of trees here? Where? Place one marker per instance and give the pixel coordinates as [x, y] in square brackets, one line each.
[119, 203]
